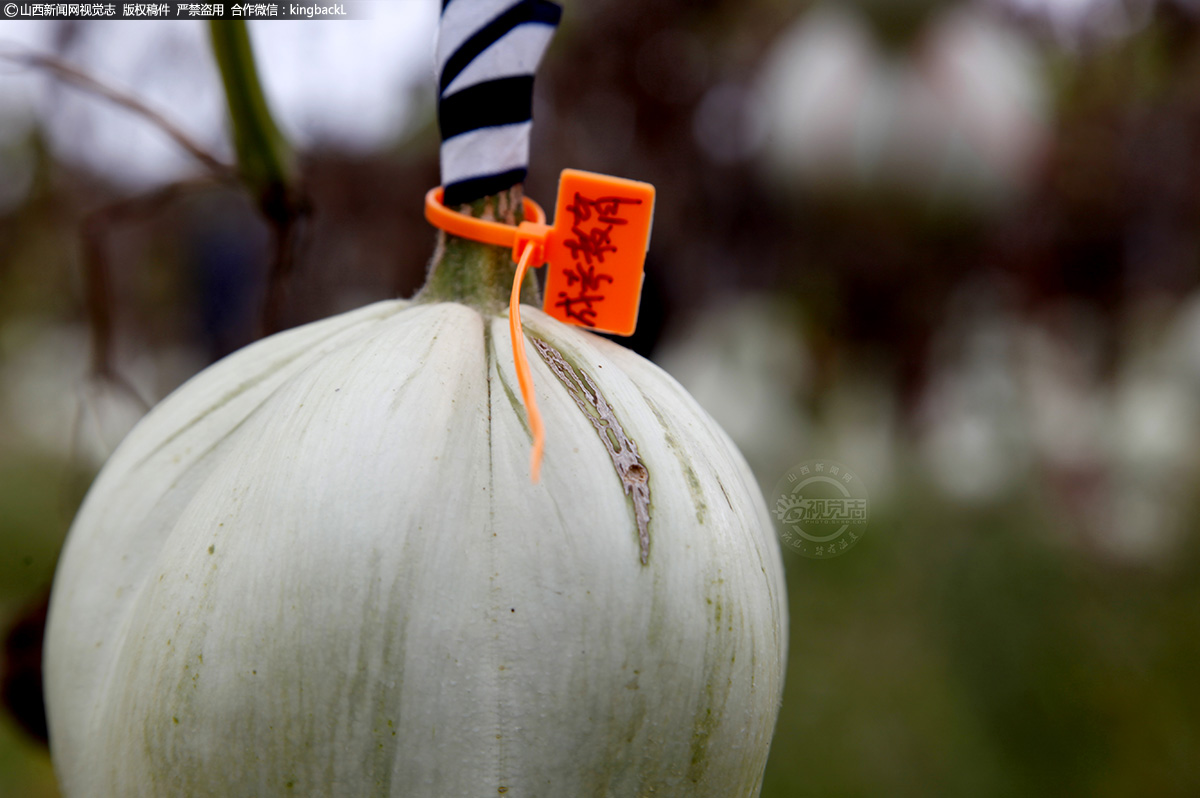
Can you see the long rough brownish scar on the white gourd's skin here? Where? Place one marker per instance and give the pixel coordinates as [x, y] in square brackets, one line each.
[622, 449]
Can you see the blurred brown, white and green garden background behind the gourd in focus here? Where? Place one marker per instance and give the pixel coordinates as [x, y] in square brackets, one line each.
[953, 245]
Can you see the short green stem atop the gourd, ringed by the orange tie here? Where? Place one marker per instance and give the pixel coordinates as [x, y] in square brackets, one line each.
[478, 274]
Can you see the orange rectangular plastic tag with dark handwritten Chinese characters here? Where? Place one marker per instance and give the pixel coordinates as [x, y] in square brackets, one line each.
[596, 251]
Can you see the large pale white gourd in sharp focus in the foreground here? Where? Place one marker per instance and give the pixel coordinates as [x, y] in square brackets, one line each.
[320, 568]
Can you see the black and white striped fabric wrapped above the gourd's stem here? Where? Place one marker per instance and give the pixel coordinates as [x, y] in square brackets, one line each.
[488, 55]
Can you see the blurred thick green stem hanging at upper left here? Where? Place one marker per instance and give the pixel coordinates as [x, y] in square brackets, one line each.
[263, 157]
